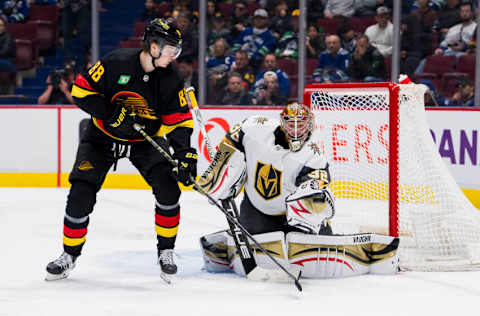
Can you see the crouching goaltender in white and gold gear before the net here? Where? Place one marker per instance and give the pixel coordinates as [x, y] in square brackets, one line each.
[287, 204]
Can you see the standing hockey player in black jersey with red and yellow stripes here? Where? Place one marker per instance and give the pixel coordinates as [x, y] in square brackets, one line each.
[125, 87]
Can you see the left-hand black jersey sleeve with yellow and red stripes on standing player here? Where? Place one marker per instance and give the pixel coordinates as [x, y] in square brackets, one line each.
[89, 88]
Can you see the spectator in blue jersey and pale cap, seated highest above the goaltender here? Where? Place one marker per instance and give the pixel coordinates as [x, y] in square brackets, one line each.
[257, 40]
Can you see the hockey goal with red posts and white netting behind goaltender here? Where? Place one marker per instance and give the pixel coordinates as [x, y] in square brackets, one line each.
[387, 175]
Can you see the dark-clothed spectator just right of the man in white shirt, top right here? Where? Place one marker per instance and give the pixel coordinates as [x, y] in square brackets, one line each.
[426, 16]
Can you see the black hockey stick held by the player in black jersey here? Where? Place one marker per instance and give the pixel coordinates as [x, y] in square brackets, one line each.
[230, 218]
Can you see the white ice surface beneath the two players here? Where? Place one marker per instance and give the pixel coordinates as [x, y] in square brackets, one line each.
[117, 274]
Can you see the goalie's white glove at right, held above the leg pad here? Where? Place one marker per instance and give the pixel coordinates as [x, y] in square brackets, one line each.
[310, 207]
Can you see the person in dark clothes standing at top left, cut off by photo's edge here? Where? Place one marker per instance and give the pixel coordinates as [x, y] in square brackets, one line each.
[76, 15]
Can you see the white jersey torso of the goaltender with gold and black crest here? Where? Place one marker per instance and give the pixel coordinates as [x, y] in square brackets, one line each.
[271, 169]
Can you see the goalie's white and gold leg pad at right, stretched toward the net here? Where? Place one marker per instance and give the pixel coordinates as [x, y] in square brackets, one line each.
[321, 256]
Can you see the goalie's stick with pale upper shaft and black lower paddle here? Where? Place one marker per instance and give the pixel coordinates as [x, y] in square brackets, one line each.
[241, 242]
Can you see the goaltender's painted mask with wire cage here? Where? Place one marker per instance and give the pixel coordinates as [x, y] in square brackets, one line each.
[297, 123]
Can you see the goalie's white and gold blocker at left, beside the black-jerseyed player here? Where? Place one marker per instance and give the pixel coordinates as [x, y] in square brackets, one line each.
[225, 176]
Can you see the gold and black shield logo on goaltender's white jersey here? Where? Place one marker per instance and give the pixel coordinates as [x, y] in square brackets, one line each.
[268, 181]
